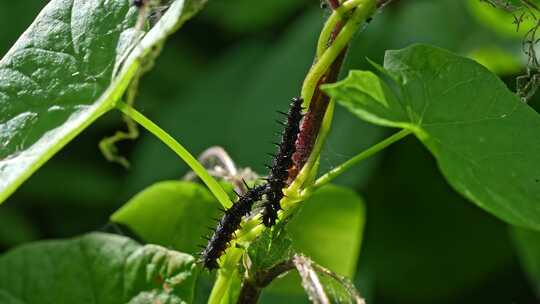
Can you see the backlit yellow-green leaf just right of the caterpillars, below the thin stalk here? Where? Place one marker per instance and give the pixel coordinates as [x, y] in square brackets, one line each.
[333, 216]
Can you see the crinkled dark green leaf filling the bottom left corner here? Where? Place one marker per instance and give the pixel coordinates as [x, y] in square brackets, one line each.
[96, 268]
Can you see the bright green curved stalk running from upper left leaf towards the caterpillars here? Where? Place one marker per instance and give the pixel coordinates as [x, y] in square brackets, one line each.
[184, 154]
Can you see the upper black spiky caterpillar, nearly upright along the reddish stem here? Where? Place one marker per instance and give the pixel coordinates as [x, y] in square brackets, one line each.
[281, 162]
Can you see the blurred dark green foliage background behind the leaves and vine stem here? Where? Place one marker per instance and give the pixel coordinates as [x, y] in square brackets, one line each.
[423, 244]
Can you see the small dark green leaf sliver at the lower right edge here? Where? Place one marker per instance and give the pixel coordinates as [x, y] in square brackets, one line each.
[528, 248]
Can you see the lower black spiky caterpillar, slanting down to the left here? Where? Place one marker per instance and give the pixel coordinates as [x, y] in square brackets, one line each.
[227, 225]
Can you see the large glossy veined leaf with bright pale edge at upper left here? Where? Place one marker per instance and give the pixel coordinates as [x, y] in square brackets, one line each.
[71, 65]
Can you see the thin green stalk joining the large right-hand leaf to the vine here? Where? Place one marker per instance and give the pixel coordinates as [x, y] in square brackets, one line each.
[332, 174]
